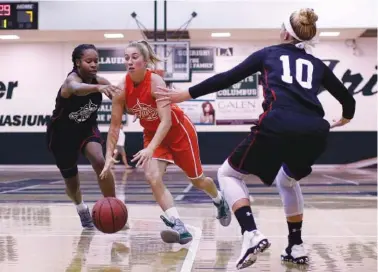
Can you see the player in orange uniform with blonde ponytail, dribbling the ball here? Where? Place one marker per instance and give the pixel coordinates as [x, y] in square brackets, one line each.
[169, 137]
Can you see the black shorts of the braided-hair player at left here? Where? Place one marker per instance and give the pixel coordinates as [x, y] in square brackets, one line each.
[66, 144]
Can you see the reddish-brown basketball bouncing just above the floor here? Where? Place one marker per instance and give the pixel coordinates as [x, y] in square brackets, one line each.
[109, 215]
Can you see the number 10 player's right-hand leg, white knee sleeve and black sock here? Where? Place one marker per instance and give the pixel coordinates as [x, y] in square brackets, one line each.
[292, 199]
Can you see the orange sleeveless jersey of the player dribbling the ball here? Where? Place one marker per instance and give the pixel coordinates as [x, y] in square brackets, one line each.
[140, 101]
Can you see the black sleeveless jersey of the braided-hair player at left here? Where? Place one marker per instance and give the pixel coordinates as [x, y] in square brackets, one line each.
[76, 110]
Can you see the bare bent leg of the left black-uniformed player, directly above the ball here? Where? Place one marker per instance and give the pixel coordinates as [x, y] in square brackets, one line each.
[94, 153]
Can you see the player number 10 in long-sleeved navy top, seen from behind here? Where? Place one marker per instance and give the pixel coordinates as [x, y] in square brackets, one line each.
[289, 136]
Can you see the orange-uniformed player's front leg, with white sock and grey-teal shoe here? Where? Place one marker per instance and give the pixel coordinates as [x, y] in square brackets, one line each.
[177, 233]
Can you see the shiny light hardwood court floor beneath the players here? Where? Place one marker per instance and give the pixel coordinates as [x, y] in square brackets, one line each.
[40, 230]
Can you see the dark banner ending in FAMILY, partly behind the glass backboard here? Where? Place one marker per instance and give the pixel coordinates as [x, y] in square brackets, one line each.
[201, 59]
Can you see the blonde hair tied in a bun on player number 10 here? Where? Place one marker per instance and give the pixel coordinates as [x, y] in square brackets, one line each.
[304, 23]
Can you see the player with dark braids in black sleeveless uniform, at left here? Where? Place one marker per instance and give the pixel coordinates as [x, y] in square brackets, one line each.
[73, 126]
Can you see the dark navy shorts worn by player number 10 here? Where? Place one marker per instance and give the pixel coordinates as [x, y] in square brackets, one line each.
[297, 141]
